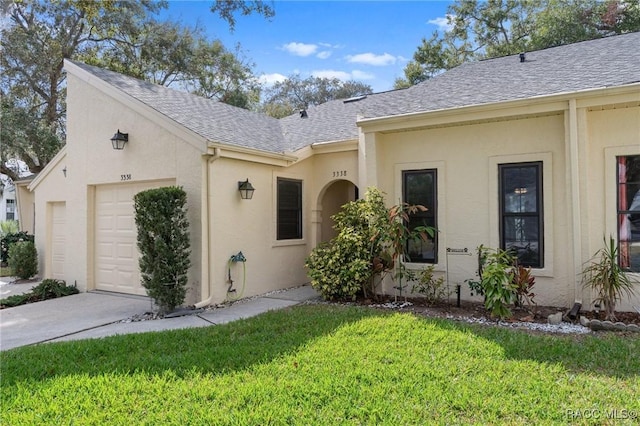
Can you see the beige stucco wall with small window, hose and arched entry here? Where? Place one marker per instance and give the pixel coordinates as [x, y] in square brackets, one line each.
[250, 225]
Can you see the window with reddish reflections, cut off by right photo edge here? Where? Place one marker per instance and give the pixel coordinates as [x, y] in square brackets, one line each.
[629, 212]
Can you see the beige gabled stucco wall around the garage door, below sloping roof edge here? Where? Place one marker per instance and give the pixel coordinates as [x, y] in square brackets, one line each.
[152, 154]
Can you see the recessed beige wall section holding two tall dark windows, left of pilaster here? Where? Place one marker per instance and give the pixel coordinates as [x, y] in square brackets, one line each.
[466, 158]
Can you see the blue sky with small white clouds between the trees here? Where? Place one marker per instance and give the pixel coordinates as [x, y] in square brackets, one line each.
[366, 41]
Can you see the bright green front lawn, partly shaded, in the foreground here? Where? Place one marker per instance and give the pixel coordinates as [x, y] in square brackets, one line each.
[325, 365]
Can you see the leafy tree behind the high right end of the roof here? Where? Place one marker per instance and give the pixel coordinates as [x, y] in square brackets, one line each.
[493, 28]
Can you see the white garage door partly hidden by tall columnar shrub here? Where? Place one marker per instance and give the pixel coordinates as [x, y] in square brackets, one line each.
[116, 253]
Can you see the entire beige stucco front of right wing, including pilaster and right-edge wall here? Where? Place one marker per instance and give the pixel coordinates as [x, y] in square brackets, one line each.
[576, 139]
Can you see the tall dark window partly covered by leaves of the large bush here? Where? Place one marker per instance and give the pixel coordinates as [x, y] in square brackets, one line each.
[419, 187]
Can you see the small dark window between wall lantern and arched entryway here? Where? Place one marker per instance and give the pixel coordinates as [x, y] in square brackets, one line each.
[289, 209]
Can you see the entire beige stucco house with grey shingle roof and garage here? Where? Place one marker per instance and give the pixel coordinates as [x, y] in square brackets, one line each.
[540, 155]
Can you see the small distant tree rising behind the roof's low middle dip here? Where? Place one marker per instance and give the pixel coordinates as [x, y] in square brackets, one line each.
[294, 93]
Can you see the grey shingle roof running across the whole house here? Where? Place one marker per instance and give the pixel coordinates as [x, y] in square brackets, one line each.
[606, 62]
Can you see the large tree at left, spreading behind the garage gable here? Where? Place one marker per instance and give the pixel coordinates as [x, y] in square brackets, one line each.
[120, 35]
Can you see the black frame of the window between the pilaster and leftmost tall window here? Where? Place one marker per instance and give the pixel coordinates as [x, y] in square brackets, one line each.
[539, 203]
